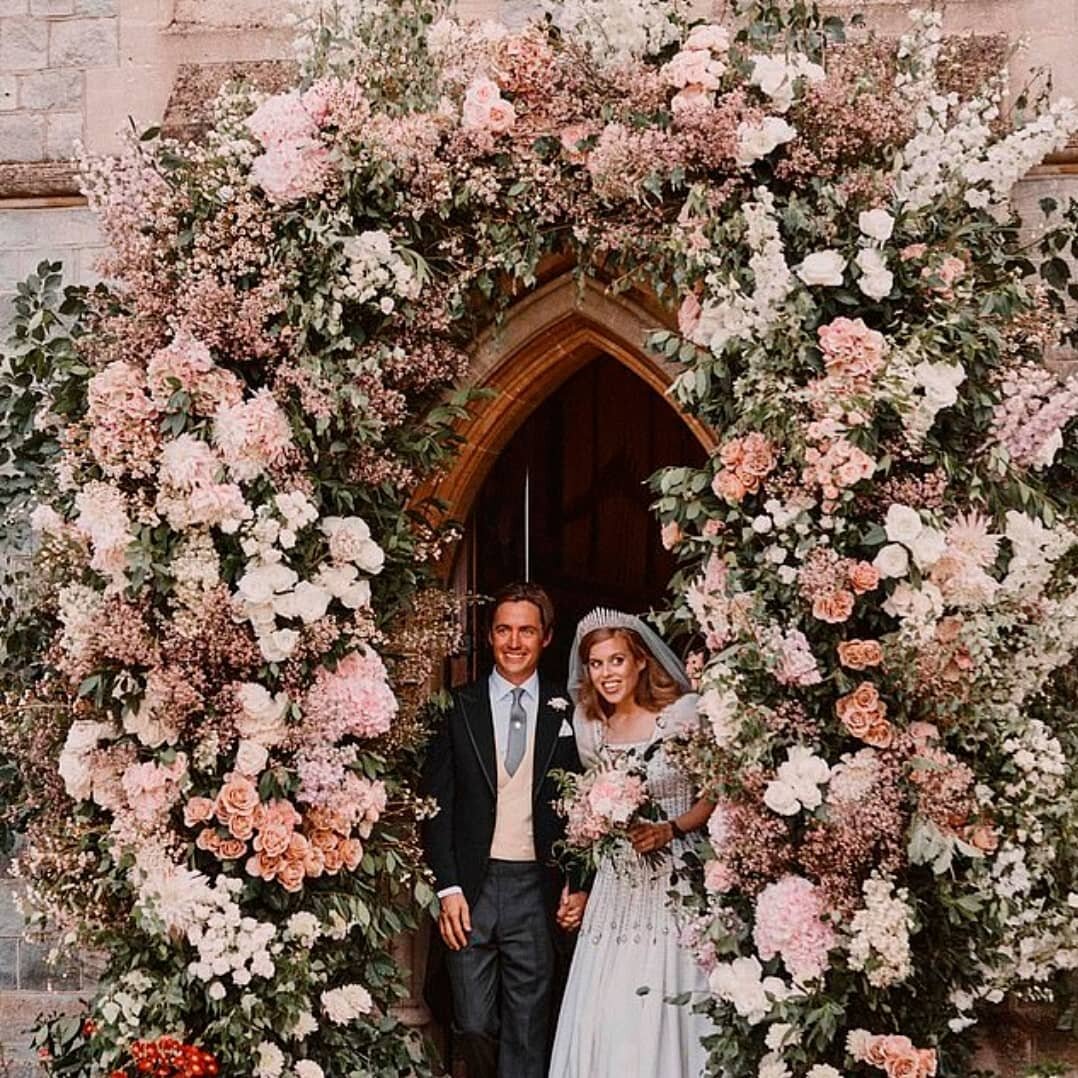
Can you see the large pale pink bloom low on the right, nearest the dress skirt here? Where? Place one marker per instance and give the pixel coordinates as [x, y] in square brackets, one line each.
[790, 922]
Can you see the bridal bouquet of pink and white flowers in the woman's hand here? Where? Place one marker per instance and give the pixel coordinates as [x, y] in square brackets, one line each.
[600, 807]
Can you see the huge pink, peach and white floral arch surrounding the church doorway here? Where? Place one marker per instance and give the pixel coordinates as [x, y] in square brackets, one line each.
[216, 679]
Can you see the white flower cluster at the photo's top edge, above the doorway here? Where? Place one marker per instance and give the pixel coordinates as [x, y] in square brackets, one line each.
[616, 32]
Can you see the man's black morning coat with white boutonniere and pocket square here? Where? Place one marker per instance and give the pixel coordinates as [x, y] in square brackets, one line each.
[462, 776]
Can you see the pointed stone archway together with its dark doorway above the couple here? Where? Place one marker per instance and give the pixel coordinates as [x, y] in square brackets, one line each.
[550, 482]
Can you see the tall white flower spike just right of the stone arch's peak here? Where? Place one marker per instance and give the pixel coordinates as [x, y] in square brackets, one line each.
[730, 314]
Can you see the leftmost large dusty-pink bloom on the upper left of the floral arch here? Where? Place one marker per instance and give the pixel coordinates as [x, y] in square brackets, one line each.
[123, 422]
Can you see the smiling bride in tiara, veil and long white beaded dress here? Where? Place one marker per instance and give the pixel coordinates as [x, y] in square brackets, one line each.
[632, 695]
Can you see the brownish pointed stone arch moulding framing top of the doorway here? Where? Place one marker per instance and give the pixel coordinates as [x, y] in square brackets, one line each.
[545, 339]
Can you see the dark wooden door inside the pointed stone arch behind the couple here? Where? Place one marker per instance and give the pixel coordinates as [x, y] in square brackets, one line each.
[569, 497]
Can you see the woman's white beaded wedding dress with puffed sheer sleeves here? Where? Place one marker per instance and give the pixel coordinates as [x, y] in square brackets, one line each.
[615, 1021]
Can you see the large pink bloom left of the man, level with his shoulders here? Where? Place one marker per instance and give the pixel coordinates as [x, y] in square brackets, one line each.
[353, 700]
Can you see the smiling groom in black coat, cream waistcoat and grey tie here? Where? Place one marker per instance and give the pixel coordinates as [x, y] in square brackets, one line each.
[490, 844]
